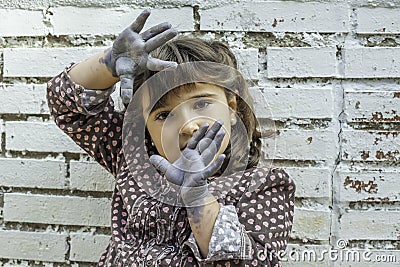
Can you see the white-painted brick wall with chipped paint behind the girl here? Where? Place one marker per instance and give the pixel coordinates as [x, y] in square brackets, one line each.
[324, 74]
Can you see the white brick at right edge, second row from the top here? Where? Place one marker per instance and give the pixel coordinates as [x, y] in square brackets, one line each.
[372, 62]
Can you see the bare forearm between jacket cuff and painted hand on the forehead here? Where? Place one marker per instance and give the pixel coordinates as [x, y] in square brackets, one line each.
[93, 73]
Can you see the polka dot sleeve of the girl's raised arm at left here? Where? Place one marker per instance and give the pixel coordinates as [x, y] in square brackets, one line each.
[88, 117]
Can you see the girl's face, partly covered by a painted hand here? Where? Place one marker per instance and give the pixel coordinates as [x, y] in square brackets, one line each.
[172, 125]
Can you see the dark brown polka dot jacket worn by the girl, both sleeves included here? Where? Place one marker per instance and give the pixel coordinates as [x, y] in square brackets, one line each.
[253, 224]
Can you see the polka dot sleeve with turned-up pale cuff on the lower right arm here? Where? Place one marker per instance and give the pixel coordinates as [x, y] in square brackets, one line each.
[254, 222]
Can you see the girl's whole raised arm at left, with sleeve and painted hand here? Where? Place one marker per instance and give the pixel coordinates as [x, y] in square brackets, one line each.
[84, 110]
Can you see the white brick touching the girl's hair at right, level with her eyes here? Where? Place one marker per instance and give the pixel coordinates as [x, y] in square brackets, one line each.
[293, 103]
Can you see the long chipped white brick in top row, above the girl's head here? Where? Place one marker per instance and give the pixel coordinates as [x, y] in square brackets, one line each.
[274, 16]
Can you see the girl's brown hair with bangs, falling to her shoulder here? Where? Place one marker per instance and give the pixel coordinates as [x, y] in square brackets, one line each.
[186, 49]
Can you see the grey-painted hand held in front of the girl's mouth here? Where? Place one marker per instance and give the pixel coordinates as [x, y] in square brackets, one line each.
[195, 165]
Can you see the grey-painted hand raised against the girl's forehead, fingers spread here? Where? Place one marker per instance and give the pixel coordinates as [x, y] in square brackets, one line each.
[129, 54]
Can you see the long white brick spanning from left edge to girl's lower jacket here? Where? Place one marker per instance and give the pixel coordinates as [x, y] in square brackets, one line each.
[50, 209]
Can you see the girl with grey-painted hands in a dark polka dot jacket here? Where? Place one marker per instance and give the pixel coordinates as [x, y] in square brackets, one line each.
[184, 153]
